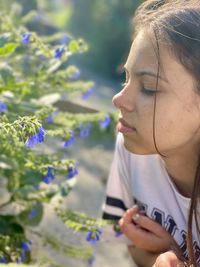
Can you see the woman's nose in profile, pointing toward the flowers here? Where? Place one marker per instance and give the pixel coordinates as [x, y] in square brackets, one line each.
[124, 100]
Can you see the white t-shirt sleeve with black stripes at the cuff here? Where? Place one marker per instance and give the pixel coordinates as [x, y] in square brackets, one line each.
[118, 193]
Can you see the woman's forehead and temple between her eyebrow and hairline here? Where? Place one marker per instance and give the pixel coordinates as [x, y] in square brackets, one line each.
[143, 56]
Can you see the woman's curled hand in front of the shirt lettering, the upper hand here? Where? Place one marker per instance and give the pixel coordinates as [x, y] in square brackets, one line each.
[145, 233]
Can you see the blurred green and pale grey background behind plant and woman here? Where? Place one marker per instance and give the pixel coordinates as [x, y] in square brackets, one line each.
[106, 27]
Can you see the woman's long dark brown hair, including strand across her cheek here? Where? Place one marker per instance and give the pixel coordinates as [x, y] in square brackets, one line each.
[177, 24]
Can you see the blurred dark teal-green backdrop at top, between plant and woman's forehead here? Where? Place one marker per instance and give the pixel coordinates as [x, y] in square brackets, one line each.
[104, 25]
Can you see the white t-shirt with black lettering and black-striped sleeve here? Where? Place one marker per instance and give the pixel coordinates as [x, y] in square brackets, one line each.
[143, 180]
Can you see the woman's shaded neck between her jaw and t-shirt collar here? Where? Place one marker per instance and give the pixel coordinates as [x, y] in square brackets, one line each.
[182, 171]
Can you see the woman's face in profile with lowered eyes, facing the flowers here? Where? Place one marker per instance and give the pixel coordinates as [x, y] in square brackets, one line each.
[177, 113]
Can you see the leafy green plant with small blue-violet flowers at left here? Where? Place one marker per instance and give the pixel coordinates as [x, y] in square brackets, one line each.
[34, 74]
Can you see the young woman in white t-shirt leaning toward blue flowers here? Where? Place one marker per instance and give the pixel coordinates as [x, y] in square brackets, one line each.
[154, 183]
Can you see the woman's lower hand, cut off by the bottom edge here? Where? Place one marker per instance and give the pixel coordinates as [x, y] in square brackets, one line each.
[168, 259]
